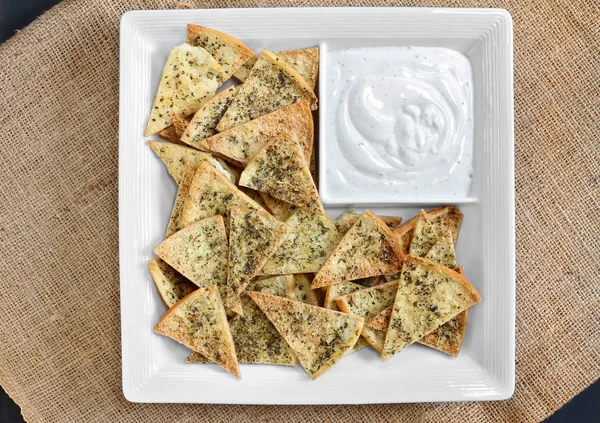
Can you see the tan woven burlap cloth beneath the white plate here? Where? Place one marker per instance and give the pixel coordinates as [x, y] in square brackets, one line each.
[59, 283]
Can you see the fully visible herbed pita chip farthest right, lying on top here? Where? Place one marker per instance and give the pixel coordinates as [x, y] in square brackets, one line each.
[428, 296]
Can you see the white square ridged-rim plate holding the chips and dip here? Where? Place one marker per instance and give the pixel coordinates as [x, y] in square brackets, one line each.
[153, 368]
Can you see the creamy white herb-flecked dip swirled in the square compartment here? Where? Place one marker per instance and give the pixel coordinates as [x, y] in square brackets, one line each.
[398, 123]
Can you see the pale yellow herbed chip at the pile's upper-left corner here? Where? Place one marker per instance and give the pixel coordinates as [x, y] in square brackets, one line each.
[188, 79]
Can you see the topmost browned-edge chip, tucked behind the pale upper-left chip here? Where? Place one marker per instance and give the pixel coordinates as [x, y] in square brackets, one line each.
[230, 52]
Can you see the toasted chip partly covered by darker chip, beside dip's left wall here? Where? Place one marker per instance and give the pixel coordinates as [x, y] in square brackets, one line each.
[241, 143]
